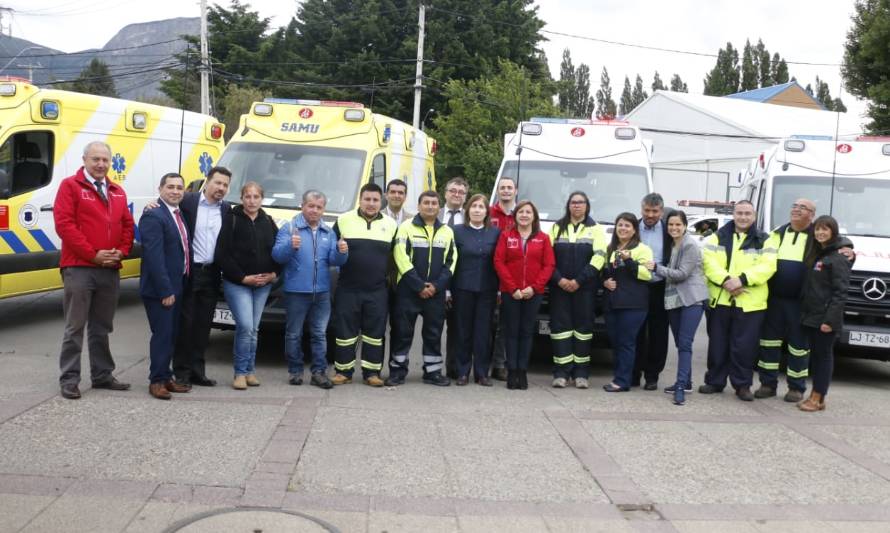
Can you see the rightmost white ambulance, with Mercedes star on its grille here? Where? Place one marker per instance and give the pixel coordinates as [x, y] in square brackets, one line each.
[849, 180]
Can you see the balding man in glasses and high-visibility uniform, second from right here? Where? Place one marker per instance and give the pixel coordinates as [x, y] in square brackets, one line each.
[782, 322]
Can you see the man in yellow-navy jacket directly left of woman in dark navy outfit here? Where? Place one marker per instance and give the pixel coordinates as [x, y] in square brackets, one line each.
[425, 257]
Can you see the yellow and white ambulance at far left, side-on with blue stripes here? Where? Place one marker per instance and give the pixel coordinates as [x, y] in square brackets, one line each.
[42, 136]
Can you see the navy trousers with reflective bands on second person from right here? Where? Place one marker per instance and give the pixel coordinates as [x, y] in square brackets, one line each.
[781, 326]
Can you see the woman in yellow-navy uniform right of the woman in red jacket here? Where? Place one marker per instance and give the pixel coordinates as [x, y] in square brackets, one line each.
[579, 245]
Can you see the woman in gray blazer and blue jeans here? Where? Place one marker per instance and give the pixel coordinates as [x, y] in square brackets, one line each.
[684, 297]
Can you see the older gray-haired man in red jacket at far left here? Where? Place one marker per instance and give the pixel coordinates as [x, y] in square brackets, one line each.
[96, 228]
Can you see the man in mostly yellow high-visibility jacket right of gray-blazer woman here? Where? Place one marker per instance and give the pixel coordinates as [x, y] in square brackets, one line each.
[738, 262]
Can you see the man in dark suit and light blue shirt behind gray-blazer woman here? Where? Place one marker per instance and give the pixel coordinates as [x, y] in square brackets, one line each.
[652, 340]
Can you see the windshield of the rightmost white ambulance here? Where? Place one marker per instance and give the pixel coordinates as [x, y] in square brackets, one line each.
[859, 204]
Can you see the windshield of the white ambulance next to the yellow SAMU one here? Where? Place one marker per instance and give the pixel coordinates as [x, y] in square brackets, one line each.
[612, 189]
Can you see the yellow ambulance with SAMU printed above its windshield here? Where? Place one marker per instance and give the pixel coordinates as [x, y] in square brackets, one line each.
[290, 146]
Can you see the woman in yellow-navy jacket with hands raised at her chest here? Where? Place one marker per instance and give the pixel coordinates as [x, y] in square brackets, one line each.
[627, 296]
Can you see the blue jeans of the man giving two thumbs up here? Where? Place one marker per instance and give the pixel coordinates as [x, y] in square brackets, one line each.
[316, 308]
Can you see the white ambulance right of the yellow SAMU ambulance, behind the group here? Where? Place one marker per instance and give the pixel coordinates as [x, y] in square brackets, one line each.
[549, 158]
